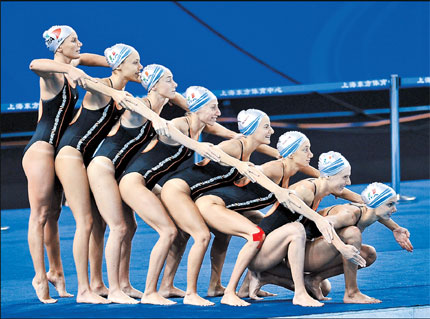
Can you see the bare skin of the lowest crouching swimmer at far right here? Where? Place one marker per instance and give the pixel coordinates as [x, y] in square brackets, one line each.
[324, 261]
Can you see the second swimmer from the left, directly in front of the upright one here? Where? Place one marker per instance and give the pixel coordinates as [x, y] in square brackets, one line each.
[101, 108]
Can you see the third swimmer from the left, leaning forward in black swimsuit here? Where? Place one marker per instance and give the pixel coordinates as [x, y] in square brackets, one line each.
[128, 136]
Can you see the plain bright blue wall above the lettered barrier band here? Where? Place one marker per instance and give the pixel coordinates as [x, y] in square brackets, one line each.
[312, 42]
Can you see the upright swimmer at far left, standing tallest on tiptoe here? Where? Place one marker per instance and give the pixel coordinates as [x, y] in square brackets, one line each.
[58, 96]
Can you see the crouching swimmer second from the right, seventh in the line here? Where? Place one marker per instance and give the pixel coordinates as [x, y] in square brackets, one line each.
[282, 225]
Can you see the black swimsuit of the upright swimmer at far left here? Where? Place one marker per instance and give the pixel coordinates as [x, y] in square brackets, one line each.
[56, 116]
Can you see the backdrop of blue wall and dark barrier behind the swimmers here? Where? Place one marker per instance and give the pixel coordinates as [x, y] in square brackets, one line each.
[302, 42]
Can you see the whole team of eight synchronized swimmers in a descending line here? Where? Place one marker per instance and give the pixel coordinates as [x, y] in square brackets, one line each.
[116, 156]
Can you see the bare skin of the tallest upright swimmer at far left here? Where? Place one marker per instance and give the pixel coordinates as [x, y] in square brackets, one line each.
[44, 191]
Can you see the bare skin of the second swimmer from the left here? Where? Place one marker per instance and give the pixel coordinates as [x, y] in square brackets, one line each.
[72, 173]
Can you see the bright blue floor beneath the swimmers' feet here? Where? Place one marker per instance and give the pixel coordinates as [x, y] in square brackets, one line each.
[398, 278]
